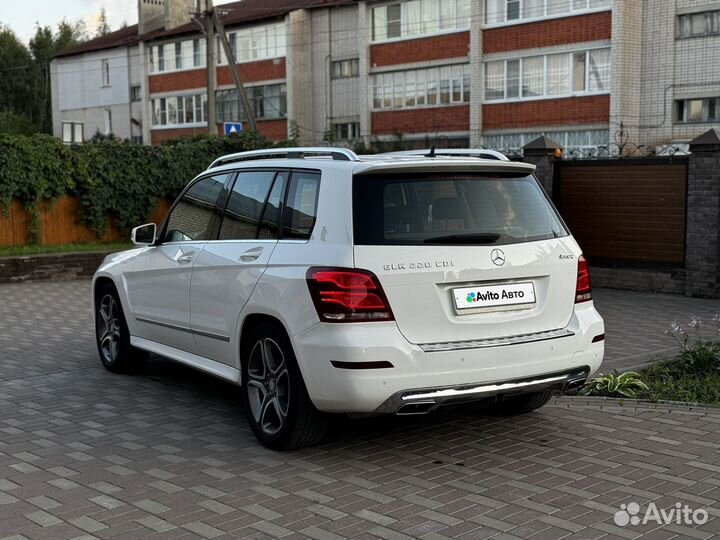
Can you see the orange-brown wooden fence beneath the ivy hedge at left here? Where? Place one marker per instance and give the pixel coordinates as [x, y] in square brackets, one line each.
[60, 224]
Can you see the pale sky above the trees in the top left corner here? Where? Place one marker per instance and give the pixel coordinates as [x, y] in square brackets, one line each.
[23, 20]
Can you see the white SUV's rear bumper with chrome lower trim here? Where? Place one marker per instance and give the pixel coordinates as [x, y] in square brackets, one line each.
[450, 374]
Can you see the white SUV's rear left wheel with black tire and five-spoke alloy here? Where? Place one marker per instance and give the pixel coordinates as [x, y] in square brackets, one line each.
[276, 402]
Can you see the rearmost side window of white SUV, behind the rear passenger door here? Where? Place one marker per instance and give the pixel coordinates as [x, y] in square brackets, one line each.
[301, 210]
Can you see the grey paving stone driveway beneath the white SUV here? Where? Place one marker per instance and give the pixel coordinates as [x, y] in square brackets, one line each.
[167, 454]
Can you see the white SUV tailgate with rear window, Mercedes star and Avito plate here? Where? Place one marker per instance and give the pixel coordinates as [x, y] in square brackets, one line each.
[465, 256]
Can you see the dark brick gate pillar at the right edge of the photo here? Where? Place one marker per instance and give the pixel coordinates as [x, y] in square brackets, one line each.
[702, 235]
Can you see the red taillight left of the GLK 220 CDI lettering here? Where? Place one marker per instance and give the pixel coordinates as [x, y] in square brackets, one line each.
[344, 295]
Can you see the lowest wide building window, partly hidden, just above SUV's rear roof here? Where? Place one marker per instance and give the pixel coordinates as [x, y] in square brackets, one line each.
[585, 141]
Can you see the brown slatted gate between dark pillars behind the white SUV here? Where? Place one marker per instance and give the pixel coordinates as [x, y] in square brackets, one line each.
[626, 210]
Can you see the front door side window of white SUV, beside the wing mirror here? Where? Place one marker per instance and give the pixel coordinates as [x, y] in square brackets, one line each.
[194, 216]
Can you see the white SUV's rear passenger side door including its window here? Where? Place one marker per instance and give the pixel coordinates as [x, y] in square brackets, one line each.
[227, 269]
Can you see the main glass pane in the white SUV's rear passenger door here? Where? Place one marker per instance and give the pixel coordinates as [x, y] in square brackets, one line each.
[245, 205]
